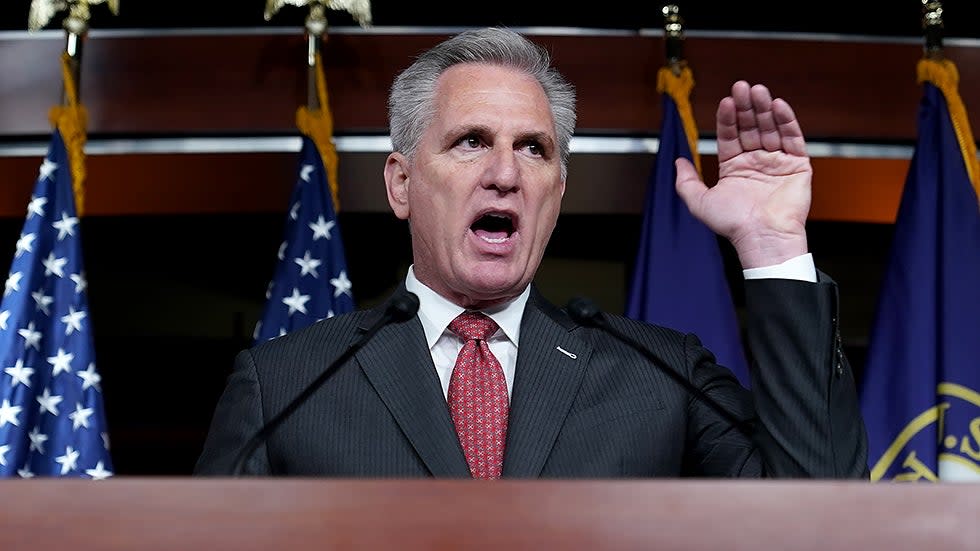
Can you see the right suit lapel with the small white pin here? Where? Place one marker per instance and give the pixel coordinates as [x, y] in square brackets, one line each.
[546, 381]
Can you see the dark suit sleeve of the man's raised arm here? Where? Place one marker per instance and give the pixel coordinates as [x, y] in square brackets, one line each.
[803, 389]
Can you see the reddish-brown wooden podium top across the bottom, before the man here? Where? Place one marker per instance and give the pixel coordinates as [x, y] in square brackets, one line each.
[211, 514]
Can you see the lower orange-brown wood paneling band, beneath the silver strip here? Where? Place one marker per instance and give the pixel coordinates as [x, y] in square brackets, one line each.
[856, 190]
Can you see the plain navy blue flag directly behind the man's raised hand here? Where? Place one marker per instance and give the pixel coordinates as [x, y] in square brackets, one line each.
[679, 278]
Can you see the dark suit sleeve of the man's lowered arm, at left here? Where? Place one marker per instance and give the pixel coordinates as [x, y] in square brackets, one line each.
[237, 418]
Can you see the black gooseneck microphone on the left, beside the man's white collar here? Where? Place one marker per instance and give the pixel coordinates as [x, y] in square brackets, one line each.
[401, 307]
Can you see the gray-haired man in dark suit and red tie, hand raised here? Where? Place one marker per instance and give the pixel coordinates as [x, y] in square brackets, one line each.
[490, 380]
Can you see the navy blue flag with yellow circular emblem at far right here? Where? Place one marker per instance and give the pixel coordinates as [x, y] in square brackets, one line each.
[921, 388]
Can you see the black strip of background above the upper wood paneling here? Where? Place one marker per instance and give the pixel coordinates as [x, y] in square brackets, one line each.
[877, 17]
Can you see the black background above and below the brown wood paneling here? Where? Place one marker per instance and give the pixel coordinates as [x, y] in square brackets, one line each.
[173, 298]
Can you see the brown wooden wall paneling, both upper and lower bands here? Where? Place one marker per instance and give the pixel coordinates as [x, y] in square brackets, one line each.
[251, 84]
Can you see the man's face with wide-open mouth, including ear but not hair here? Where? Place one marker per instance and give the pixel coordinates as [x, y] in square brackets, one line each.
[484, 189]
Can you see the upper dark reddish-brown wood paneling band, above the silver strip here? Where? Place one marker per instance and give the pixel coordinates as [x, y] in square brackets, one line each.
[253, 83]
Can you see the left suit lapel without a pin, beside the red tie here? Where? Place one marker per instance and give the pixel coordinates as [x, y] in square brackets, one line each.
[399, 366]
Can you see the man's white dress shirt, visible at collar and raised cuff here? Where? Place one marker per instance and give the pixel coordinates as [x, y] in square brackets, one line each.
[435, 313]
